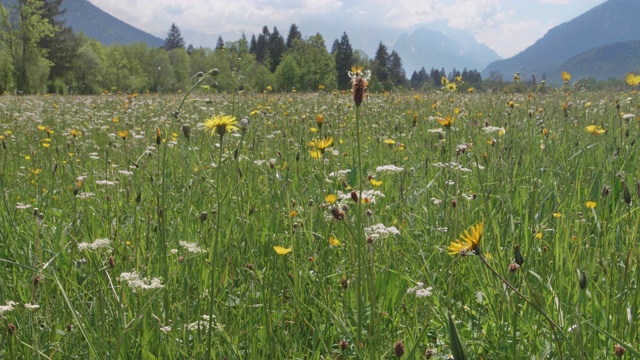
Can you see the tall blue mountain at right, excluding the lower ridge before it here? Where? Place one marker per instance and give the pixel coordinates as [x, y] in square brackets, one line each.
[610, 22]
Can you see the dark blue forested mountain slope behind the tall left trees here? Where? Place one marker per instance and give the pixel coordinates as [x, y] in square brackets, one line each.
[82, 16]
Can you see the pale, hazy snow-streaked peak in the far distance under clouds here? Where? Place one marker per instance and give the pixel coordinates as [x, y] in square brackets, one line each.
[437, 48]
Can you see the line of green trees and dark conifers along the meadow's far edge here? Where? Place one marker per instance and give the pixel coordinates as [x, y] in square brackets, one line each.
[39, 53]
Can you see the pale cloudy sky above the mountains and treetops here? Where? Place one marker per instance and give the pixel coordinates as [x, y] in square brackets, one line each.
[506, 26]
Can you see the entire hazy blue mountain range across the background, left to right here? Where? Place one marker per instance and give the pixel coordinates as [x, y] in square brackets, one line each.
[603, 42]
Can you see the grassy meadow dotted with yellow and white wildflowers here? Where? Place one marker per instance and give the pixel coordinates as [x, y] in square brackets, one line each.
[128, 232]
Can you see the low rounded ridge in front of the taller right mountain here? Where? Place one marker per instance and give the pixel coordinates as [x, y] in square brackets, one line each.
[606, 62]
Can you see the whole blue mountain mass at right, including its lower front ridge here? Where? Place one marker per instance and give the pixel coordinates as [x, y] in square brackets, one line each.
[600, 43]
